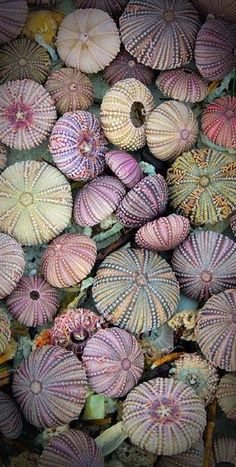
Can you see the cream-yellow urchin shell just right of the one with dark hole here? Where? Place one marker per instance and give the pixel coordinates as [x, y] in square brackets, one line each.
[171, 129]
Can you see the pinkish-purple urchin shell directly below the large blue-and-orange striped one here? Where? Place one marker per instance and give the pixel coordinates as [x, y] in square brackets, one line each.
[113, 361]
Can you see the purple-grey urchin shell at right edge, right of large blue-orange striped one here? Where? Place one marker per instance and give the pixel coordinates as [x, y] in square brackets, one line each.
[204, 264]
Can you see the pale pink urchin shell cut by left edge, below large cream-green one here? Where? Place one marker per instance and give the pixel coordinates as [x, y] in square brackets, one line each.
[12, 264]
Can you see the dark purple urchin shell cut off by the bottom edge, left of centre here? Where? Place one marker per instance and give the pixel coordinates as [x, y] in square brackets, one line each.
[72, 448]
